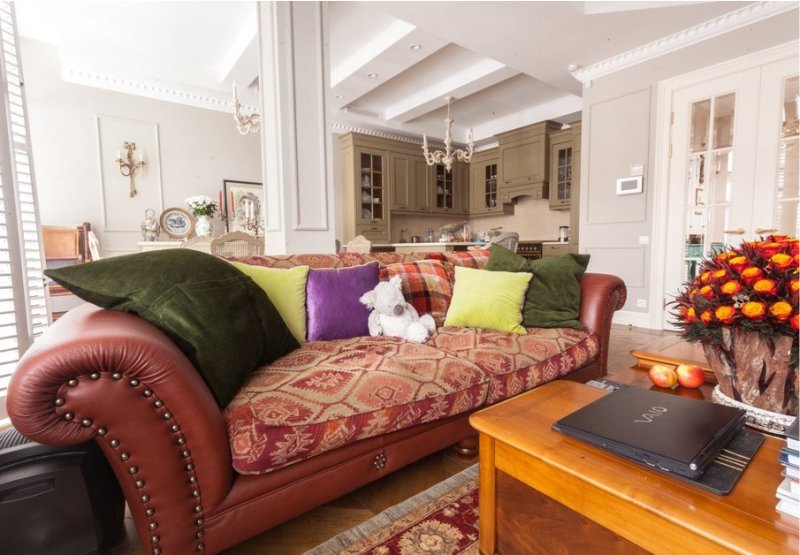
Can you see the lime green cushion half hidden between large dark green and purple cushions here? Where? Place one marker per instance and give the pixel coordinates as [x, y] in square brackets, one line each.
[286, 288]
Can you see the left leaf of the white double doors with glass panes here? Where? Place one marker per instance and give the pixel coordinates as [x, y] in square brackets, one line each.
[713, 142]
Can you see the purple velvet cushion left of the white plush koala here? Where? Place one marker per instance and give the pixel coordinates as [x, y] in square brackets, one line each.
[332, 301]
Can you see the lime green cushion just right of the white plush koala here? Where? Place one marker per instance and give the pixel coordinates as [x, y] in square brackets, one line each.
[490, 300]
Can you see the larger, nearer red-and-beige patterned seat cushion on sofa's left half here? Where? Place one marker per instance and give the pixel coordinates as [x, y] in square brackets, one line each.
[330, 393]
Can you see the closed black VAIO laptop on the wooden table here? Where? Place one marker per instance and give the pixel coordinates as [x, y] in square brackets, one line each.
[671, 433]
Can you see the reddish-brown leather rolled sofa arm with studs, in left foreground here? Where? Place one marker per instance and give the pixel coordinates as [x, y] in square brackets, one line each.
[114, 378]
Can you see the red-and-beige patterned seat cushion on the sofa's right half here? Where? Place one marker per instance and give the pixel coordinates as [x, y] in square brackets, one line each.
[517, 363]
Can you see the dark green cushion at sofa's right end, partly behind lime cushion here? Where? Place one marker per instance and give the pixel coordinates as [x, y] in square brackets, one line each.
[553, 299]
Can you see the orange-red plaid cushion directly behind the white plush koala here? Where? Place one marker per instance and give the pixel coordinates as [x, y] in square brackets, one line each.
[426, 285]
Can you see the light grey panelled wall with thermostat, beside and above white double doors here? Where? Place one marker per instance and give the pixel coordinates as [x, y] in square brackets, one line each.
[619, 130]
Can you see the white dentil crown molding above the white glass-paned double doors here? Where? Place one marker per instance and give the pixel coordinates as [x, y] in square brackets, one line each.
[725, 23]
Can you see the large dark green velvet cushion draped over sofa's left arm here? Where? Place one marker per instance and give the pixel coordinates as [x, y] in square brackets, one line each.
[217, 316]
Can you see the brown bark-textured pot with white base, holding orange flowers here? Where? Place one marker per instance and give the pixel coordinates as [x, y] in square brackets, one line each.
[754, 371]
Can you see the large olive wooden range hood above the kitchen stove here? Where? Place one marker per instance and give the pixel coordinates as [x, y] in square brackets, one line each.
[524, 161]
